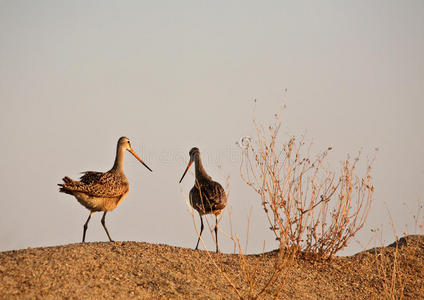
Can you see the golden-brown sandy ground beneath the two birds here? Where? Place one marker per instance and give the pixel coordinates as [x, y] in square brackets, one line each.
[125, 270]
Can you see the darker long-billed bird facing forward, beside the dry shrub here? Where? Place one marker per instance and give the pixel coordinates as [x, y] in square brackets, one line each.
[206, 196]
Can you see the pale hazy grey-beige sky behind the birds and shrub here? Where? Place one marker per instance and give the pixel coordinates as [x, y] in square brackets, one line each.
[170, 75]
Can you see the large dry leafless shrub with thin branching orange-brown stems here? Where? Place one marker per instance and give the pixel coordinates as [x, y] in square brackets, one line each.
[309, 207]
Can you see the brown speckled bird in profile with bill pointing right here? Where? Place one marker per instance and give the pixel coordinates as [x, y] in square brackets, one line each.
[98, 191]
